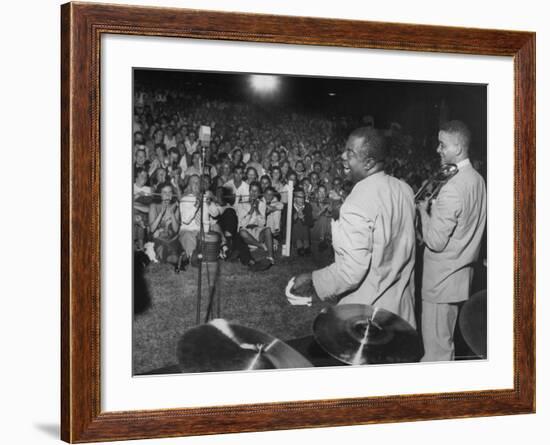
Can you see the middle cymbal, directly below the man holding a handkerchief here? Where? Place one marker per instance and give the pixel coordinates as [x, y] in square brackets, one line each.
[359, 334]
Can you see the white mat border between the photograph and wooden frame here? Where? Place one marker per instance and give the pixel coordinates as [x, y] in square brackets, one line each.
[120, 391]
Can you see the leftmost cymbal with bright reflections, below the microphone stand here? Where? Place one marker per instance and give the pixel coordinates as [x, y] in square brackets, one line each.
[224, 346]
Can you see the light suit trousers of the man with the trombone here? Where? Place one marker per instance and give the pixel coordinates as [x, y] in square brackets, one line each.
[438, 325]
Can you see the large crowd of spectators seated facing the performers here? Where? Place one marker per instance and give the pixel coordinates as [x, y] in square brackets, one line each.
[253, 156]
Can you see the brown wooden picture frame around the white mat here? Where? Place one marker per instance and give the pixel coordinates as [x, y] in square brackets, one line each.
[82, 26]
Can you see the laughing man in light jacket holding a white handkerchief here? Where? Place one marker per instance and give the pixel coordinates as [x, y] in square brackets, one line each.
[373, 238]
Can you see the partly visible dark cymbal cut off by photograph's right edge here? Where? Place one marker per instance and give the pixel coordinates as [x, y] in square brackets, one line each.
[473, 323]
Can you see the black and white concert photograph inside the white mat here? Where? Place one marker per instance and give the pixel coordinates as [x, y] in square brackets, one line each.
[284, 221]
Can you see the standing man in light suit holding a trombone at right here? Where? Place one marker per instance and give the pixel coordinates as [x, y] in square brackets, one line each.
[452, 233]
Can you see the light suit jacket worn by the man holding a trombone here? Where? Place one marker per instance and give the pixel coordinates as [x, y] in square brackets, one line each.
[452, 235]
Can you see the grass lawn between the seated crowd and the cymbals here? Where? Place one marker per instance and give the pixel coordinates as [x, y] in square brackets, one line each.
[255, 300]
